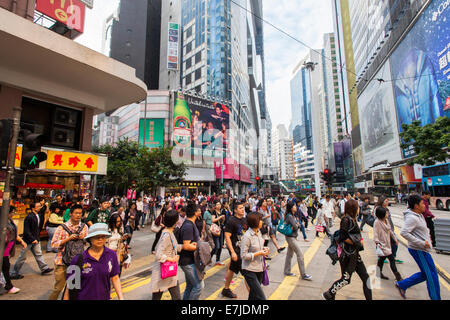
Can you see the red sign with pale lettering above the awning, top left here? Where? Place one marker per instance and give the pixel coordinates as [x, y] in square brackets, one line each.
[69, 12]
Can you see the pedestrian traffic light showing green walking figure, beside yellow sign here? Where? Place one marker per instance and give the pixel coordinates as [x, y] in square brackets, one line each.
[31, 152]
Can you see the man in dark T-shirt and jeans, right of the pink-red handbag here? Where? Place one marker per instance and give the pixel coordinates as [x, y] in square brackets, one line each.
[189, 237]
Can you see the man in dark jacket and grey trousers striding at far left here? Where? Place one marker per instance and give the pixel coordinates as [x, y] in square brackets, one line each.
[31, 233]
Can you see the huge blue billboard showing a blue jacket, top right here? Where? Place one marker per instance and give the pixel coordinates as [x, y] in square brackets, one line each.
[421, 69]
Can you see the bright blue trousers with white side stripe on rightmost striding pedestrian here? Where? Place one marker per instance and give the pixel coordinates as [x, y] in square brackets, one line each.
[427, 273]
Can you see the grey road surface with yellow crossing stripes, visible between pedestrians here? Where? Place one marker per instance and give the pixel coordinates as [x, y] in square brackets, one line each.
[135, 281]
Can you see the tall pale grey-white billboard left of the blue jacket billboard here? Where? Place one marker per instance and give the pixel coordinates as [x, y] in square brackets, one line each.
[378, 120]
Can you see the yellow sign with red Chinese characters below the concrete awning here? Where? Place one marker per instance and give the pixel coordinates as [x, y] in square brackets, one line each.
[61, 160]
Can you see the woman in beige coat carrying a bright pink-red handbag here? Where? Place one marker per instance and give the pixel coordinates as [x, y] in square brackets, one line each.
[165, 274]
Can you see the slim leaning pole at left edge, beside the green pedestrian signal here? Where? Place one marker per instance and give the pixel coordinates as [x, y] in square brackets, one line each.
[9, 172]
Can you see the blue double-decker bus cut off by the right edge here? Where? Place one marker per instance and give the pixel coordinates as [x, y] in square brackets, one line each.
[436, 179]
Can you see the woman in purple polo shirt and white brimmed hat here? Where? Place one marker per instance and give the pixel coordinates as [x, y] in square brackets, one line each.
[99, 267]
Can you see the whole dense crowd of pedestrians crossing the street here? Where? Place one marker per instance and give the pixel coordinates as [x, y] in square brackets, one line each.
[94, 239]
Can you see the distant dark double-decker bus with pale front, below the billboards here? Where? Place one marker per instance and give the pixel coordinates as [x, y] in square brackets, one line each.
[376, 184]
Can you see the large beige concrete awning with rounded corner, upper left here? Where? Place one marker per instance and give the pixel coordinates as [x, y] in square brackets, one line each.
[38, 60]
